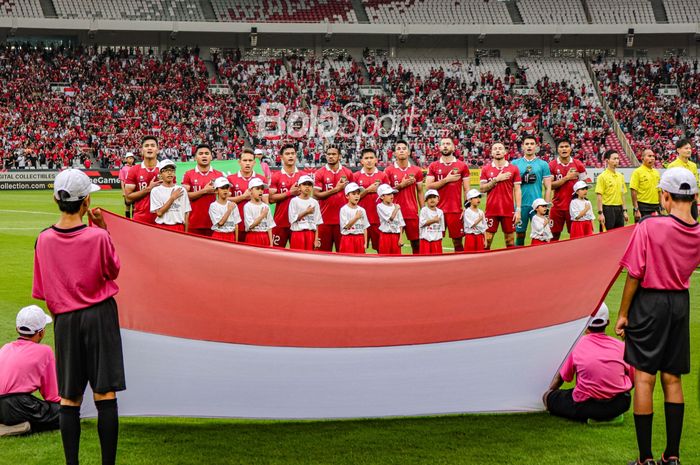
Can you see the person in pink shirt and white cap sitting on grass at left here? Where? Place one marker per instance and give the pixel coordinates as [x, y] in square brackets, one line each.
[27, 366]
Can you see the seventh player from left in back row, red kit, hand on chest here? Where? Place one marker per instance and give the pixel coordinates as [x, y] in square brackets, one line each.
[408, 180]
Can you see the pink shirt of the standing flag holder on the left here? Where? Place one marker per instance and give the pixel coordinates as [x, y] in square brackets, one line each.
[74, 268]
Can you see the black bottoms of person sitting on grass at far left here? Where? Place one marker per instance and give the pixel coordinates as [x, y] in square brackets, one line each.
[18, 408]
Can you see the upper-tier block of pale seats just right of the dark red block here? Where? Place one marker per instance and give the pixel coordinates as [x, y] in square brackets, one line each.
[436, 12]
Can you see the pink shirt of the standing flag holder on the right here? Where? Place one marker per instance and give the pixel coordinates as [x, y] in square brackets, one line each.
[663, 252]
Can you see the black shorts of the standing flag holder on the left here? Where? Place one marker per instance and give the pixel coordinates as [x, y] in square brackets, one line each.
[89, 349]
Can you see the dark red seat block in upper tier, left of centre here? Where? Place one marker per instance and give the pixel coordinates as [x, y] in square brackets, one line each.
[285, 11]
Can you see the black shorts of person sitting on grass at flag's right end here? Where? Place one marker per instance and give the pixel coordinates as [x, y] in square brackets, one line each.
[560, 402]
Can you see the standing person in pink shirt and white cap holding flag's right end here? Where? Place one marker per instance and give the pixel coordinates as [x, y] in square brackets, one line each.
[662, 255]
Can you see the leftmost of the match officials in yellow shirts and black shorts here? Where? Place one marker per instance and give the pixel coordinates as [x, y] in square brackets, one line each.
[609, 188]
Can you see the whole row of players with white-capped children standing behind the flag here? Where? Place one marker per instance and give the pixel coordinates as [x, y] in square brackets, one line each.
[157, 200]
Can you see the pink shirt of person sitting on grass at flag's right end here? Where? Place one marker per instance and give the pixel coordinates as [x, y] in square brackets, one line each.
[601, 373]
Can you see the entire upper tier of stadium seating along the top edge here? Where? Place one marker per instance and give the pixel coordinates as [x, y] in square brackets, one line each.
[626, 12]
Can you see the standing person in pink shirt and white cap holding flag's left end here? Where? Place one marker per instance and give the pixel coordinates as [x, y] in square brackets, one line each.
[74, 271]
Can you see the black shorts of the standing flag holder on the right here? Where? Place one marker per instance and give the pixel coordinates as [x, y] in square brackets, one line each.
[657, 337]
